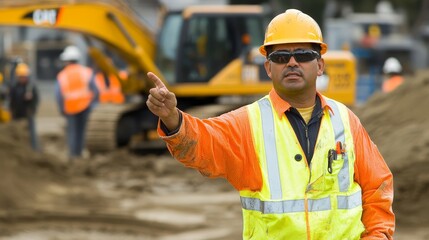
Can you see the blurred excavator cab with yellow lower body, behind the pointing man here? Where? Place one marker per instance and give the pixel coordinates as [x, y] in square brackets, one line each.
[208, 51]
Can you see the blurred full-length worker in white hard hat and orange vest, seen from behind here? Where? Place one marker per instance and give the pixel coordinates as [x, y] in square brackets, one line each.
[75, 93]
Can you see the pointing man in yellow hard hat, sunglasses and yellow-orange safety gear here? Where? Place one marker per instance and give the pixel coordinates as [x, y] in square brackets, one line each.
[303, 164]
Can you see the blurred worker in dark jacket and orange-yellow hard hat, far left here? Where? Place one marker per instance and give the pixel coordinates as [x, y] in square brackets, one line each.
[23, 101]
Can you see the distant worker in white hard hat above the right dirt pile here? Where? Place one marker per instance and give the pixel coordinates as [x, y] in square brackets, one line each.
[393, 75]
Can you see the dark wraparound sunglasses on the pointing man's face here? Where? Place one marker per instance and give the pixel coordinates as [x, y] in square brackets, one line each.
[283, 56]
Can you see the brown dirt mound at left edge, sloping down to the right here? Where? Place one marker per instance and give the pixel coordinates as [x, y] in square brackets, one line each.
[33, 181]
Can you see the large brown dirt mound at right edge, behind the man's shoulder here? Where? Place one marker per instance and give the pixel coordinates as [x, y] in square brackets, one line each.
[398, 123]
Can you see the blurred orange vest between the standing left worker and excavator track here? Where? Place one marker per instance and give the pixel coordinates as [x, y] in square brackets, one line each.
[111, 94]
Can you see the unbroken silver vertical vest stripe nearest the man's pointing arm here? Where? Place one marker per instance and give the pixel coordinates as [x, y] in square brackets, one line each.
[270, 148]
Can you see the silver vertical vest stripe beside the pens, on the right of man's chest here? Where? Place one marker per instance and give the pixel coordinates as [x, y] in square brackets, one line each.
[338, 125]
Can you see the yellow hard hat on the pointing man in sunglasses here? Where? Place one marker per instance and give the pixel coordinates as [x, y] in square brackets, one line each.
[293, 26]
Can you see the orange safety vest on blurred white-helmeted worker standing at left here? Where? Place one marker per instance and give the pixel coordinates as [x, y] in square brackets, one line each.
[74, 85]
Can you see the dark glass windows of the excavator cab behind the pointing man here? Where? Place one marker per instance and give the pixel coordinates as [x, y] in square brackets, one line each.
[196, 44]
